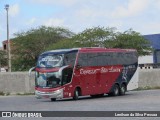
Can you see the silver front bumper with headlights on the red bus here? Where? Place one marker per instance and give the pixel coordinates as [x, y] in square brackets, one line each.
[54, 94]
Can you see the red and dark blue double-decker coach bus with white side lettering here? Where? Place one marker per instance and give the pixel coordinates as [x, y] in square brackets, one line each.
[78, 72]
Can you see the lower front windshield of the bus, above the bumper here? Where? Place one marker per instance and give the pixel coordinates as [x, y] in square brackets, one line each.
[48, 80]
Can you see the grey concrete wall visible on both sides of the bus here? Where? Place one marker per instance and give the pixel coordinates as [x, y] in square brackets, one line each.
[20, 82]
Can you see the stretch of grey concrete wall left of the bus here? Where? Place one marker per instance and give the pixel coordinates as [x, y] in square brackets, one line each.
[17, 82]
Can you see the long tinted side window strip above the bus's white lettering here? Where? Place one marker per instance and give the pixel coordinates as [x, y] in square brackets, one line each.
[107, 58]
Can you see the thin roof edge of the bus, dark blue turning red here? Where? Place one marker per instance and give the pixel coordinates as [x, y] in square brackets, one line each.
[89, 49]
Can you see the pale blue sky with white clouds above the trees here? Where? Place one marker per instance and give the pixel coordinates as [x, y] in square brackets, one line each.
[77, 15]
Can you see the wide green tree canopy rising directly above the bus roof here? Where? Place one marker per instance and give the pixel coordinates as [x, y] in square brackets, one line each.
[107, 37]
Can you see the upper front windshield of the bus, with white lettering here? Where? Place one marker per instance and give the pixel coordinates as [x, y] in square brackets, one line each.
[48, 61]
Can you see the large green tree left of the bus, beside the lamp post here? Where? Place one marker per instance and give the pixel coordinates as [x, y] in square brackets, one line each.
[27, 46]
